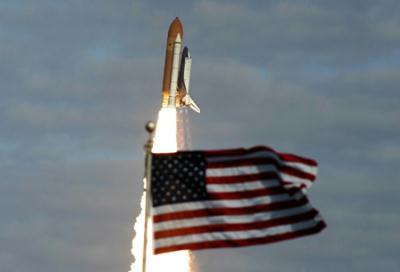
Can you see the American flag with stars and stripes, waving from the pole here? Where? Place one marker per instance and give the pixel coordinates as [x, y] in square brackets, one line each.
[231, 198]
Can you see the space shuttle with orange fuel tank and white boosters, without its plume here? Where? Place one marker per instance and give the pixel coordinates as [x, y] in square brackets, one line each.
[177, 68]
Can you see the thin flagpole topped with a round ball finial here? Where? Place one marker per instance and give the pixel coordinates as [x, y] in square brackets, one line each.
[150, 128]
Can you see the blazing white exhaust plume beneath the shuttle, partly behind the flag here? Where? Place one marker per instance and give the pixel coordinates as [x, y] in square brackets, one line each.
[165, 141]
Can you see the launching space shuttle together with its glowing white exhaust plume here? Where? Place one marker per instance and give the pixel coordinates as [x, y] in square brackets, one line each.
[171, 134]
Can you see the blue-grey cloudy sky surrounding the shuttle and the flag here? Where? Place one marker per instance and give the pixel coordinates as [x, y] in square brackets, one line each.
[79, 79]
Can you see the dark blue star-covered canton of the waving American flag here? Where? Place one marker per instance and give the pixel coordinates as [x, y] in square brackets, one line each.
[177, 178]
